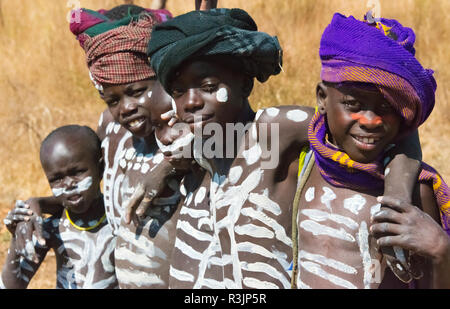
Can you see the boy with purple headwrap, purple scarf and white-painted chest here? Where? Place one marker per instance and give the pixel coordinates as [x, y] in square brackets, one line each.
[373, 93]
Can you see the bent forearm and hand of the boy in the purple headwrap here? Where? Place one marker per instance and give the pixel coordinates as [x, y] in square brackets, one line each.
[406, 226]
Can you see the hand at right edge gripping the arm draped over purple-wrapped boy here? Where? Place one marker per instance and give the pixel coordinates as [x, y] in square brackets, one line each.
[406, 226]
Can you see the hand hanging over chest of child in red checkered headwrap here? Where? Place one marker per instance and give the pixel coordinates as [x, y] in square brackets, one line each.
[153, 184]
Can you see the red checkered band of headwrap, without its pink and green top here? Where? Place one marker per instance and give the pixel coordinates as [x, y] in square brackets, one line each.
[119, 55]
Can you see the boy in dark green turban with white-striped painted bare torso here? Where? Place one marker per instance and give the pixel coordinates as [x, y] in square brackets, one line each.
[234, 226]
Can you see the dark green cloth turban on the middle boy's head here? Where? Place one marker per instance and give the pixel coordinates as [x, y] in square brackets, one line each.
[230, 32]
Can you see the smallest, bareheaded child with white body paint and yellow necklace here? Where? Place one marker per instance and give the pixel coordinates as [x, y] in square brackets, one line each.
[79, 235]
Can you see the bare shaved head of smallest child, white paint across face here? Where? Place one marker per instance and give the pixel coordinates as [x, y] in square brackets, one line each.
[71, 157]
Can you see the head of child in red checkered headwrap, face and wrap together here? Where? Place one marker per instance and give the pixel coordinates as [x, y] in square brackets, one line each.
[115, 43]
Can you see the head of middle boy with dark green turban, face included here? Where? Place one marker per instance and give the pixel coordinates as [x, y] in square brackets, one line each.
[207, 61]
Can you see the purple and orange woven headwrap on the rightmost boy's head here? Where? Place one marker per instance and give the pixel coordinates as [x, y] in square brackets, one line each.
[380, 53]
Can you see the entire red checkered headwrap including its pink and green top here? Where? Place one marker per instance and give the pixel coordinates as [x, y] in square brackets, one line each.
[116, 49]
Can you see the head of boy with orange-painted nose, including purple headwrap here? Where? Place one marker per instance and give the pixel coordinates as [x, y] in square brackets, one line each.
[373, 89]
